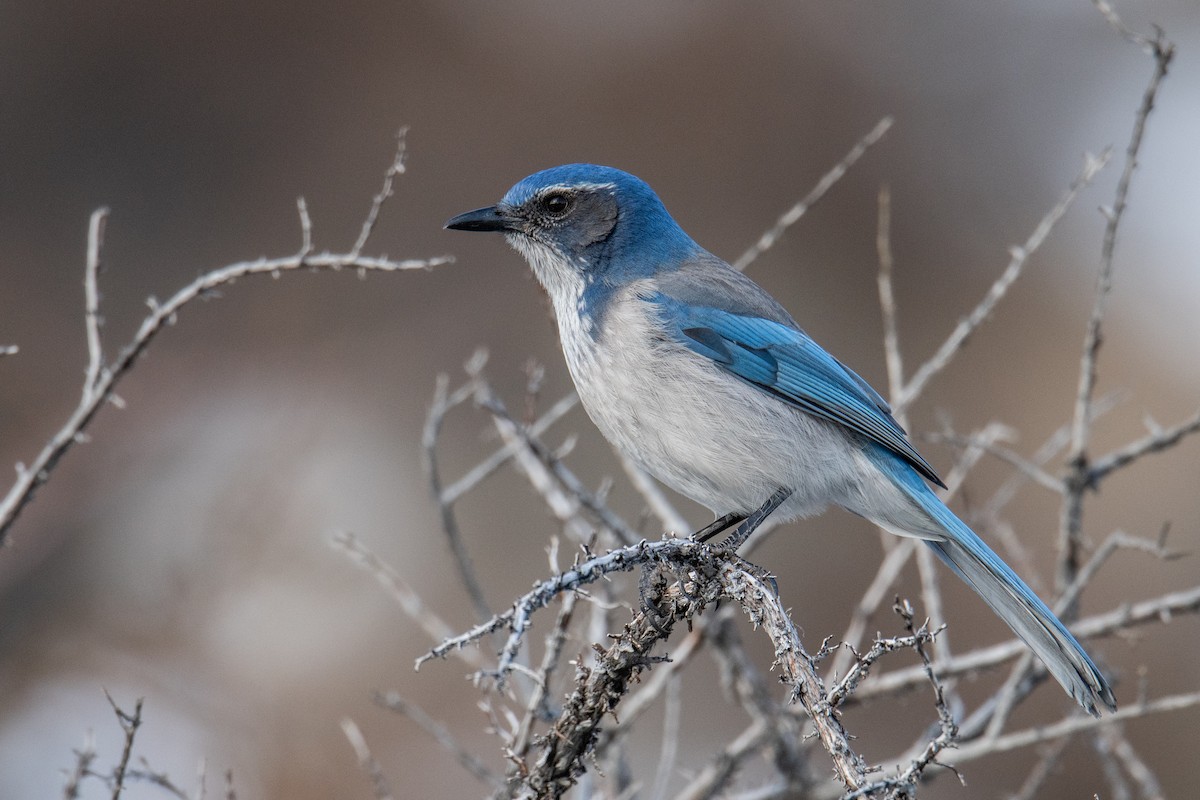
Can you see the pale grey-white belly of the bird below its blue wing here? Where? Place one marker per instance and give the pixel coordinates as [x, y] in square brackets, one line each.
[707, 435]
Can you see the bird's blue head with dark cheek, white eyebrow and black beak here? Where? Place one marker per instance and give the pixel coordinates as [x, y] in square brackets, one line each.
[585, 226]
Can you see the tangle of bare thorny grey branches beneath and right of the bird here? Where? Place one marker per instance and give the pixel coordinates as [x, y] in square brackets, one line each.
[687, 578]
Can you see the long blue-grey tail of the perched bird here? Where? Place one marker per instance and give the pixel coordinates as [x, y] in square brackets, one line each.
[1005, 592]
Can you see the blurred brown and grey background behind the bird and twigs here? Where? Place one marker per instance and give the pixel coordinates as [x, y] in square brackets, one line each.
[183, 556]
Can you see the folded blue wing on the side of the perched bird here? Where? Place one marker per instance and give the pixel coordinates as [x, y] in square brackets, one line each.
[787, 363]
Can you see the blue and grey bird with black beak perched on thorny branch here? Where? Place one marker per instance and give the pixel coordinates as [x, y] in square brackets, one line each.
[706, 382]
